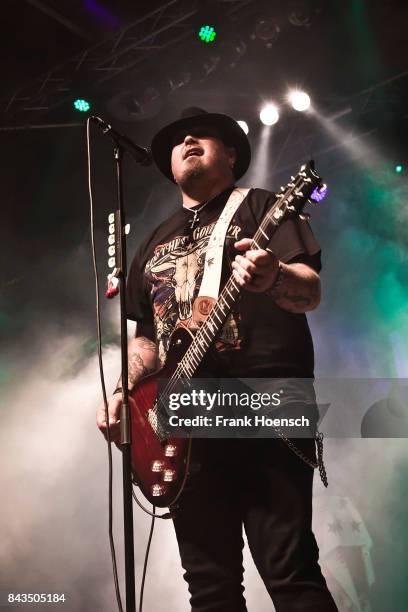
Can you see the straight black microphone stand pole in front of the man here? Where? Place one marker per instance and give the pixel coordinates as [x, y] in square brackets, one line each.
[125, 411]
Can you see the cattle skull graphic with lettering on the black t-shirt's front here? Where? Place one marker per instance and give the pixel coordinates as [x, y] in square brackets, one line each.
[174, 275]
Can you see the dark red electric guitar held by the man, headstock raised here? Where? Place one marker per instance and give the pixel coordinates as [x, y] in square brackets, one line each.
[160, 462]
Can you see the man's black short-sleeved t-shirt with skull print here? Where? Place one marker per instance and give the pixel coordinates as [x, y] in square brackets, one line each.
[258, 339]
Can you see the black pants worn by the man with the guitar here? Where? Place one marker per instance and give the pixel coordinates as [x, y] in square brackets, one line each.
[265, 486]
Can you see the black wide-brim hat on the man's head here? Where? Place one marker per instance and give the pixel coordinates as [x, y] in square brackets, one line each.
[230, 132]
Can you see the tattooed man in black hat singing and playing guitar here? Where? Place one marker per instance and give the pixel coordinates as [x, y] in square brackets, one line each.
[259, 483]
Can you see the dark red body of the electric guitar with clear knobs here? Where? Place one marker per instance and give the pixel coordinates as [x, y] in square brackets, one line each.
[159, 466]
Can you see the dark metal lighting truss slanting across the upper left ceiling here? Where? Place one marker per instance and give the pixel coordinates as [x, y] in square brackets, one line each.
[131, 47]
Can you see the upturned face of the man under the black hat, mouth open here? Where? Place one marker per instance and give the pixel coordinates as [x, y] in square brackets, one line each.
[198, 153]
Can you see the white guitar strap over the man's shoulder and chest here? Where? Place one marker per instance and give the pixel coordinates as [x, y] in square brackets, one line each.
[210, 284]
